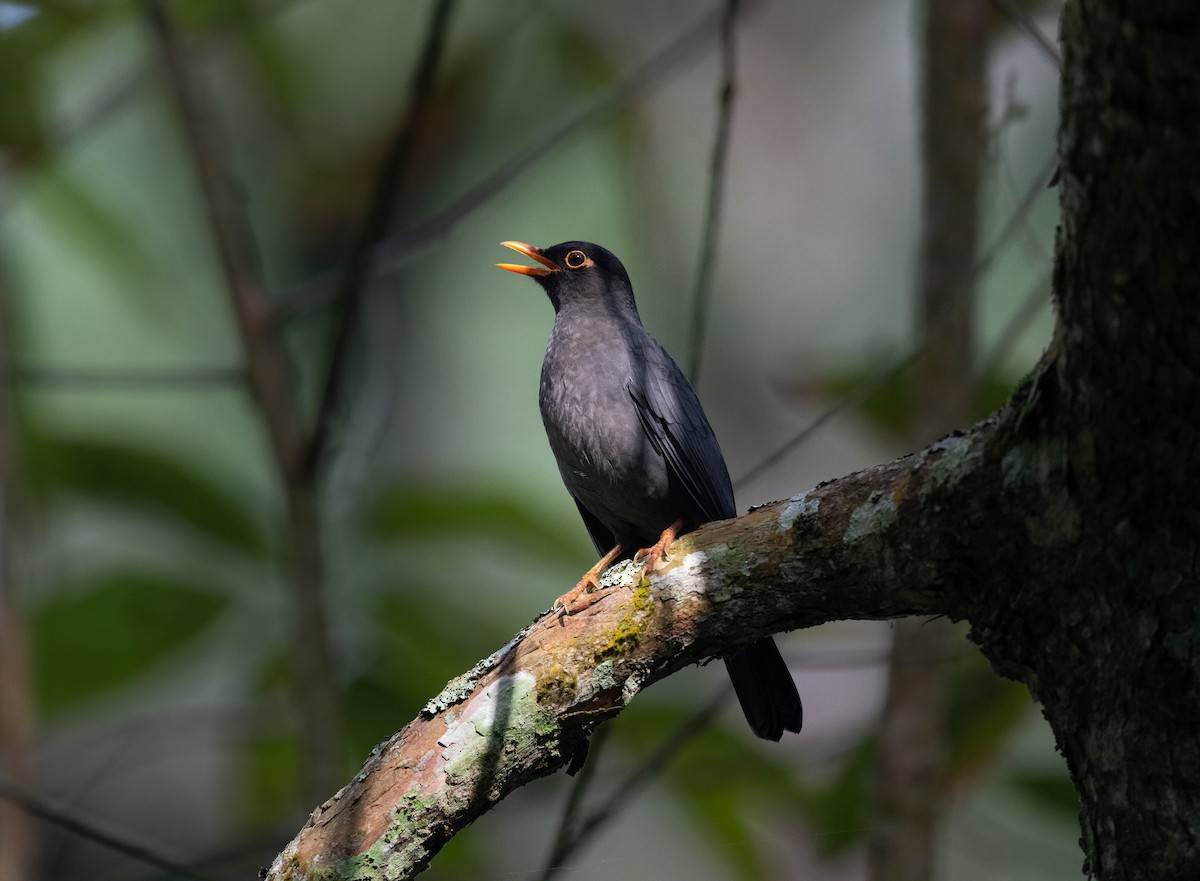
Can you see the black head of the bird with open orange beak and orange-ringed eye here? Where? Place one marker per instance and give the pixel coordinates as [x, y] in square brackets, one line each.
[577, 273]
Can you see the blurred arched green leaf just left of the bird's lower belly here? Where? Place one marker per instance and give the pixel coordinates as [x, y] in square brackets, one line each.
[421, 512]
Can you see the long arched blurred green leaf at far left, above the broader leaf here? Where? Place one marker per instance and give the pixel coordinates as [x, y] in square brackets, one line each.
[142, 480]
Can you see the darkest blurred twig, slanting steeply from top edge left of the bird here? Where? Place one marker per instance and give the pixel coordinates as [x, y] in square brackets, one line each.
[375, 227]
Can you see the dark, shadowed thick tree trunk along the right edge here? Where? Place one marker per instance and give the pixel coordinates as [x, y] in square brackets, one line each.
[1113, 649]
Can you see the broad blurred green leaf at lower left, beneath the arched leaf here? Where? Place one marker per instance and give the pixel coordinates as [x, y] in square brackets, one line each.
[111, 632]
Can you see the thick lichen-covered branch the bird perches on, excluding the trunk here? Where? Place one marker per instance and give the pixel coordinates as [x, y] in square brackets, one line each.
[873, 546]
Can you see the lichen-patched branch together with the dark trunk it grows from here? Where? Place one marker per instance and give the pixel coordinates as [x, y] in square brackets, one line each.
[1066, 530]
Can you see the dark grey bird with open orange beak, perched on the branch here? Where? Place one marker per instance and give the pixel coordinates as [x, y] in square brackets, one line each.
[634, 447]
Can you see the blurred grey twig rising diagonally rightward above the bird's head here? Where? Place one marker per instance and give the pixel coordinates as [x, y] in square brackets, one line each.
[400, 249]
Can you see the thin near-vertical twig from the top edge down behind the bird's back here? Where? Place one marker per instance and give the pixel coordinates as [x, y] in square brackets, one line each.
[703, 298]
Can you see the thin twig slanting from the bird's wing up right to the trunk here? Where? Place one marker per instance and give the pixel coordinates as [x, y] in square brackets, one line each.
[877, 381]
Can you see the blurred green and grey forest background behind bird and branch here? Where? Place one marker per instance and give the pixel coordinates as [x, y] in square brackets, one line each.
[207, 620]
